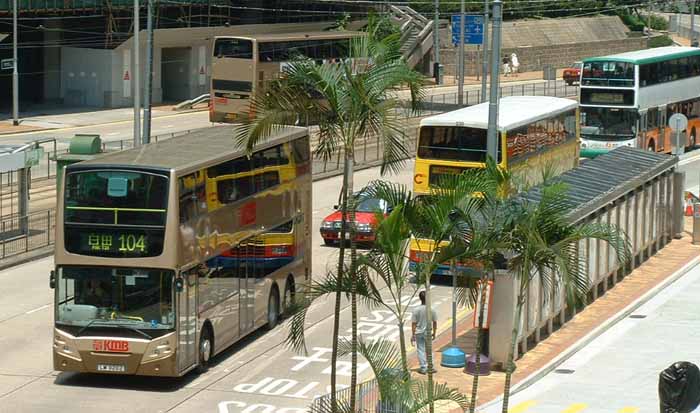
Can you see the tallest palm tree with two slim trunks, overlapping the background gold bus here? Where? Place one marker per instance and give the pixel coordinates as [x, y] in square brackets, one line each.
[351, 100]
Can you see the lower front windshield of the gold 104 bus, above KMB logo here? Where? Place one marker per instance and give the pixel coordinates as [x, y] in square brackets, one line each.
[115, 297]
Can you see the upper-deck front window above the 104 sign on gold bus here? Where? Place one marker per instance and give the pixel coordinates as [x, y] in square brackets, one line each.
[116, 197]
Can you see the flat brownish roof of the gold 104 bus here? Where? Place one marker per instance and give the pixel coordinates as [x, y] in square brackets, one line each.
[188, 152]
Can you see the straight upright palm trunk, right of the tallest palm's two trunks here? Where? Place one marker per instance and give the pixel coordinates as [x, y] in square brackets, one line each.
[350, 160]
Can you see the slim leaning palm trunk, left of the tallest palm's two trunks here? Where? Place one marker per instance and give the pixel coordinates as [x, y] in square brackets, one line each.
[338, 293]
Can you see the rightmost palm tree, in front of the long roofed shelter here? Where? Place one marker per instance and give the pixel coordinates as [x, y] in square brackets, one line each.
[544, 244]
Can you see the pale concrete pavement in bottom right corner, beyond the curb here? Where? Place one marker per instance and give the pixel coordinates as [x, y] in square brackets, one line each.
[618, 372]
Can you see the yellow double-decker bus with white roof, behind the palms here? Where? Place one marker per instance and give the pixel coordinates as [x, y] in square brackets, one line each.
[535, 132]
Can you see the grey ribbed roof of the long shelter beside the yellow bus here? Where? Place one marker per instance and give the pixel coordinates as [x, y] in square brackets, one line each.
[604, 179]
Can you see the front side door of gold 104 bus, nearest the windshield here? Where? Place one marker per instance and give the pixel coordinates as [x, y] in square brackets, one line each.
[187, 320]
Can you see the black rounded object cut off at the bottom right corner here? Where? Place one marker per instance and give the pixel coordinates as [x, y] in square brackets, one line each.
[679, 388]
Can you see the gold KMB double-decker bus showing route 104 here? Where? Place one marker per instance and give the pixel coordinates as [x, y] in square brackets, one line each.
[159, 267]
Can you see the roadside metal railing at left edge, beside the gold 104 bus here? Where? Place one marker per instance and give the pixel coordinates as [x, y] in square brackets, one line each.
[19, 235]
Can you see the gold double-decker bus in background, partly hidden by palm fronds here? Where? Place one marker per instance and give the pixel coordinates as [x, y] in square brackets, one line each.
[240, 65]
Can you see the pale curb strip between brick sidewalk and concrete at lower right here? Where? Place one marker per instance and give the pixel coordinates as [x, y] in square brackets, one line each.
[585, 340]
